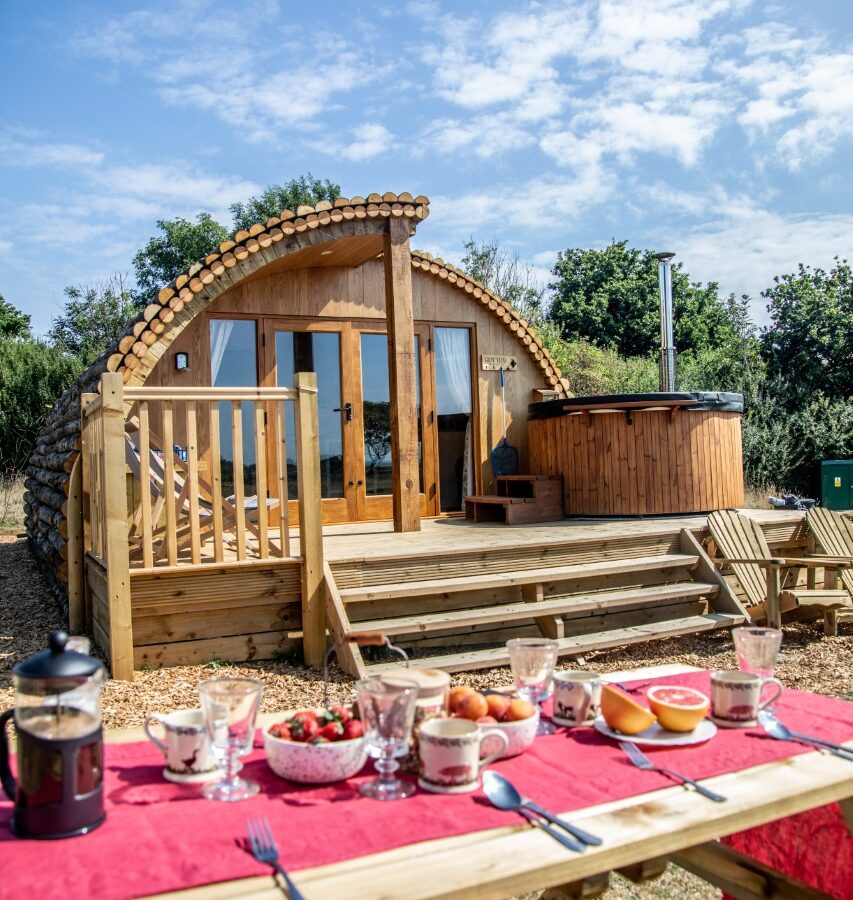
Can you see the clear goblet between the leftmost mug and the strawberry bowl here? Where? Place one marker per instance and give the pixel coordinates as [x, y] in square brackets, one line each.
[230, 706]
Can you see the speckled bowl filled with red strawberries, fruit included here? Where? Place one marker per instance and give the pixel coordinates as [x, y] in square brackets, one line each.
[316, 746]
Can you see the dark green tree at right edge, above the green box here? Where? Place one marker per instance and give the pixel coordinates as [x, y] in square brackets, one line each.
[811, 331]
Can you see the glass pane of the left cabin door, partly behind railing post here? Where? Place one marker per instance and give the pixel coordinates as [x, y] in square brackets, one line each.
[320, 352]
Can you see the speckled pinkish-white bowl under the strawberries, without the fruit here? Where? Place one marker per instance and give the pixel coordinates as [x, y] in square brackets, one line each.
[315, 763]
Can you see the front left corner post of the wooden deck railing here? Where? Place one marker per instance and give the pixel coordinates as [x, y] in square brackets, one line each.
[115, 505]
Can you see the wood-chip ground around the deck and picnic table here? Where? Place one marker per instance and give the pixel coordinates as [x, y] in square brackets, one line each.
[27, 614]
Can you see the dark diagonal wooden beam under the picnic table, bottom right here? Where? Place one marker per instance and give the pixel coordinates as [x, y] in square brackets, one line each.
[739, 875]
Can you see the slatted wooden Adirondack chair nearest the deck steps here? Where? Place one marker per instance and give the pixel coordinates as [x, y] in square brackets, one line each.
[765, 578]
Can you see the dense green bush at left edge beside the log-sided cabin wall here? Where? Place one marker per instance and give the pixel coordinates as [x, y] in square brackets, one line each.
[32, 376]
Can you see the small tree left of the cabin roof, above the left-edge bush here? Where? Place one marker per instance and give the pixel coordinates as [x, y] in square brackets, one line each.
[93, 319]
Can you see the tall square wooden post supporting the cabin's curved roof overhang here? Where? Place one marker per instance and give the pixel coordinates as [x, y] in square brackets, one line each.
[399, 311]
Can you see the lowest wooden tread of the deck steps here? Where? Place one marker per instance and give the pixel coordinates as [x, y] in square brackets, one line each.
[578, 645]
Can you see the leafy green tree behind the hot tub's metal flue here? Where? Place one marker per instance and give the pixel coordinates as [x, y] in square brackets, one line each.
[611, 297]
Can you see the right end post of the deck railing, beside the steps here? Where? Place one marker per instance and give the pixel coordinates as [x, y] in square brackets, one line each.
[310, 520]
